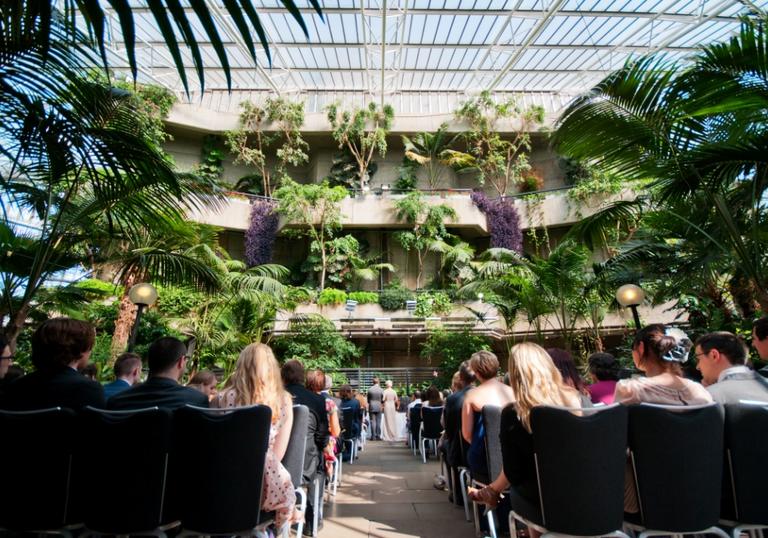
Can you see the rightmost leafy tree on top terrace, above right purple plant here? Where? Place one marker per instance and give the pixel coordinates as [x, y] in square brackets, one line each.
[501, 162]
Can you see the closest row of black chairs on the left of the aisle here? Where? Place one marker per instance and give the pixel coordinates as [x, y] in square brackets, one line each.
[142, 471]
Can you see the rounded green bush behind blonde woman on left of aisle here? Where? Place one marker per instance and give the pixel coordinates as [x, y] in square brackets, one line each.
[317, 344]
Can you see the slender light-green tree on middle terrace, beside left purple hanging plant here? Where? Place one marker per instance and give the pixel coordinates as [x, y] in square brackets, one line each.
[316, 207]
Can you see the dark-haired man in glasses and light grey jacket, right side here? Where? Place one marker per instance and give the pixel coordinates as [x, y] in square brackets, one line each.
[720, 359]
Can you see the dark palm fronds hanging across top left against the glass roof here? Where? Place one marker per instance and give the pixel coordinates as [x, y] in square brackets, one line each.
[35, 21]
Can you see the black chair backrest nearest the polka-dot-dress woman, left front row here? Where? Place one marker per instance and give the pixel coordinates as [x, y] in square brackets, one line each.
[218, 470]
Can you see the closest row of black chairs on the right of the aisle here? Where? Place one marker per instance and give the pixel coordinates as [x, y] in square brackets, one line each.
[696, 469]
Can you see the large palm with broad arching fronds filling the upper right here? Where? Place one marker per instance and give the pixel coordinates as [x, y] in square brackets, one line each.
[698, 134]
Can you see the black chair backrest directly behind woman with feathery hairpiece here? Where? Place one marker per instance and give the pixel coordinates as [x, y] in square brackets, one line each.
[677, 453]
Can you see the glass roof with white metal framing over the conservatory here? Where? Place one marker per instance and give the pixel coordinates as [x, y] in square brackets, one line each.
[386, 48]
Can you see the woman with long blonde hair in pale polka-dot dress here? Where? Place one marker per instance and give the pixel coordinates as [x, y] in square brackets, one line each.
[256, 380]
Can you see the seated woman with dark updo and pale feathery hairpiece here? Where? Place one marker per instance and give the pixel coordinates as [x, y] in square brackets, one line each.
[659, 352]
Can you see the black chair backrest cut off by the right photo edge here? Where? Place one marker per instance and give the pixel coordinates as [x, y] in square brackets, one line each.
[746, 436]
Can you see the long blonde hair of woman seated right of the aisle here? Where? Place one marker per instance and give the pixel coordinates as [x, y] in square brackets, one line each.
[536, 381]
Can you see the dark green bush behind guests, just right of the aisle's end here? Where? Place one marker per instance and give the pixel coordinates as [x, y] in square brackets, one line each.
[451, 349]
